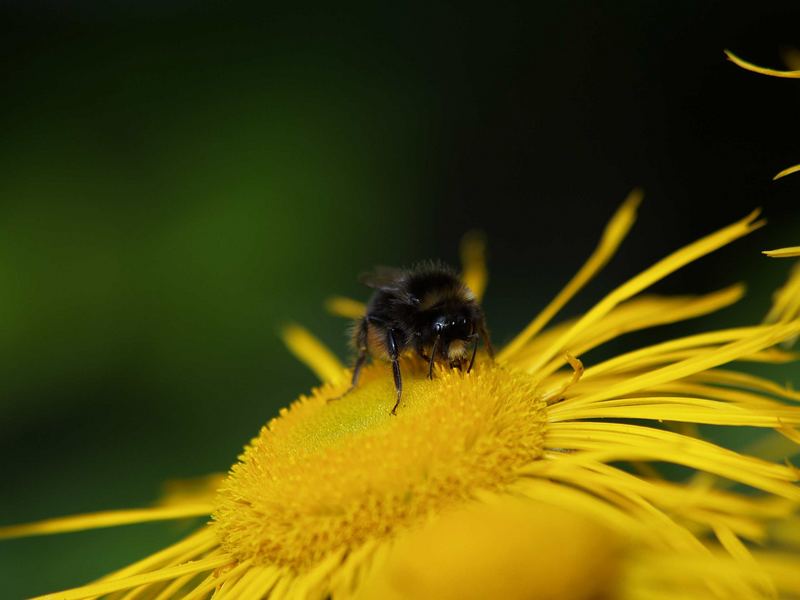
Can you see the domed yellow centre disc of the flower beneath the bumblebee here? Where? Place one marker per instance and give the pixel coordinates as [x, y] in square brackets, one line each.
[330, 474]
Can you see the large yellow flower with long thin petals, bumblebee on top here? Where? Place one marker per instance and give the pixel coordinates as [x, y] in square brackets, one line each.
[530, 477]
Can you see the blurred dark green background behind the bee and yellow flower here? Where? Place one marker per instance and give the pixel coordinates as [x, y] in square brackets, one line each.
[178, 179]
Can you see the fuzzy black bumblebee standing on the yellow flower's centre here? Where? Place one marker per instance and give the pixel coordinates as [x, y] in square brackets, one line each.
[426, 309]
